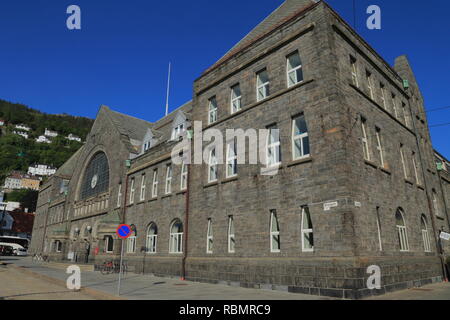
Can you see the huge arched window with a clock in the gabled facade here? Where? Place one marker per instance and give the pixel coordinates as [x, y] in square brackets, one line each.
[96, 177]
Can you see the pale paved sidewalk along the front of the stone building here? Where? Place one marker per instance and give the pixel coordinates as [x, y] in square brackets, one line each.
[145, 287]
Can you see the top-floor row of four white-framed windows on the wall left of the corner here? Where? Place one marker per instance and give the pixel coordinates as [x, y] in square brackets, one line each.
[294, 74]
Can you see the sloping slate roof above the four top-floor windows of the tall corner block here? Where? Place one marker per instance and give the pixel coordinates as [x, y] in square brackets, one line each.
[283, 13]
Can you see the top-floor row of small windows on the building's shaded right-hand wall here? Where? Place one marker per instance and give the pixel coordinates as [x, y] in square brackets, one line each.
[388, 102]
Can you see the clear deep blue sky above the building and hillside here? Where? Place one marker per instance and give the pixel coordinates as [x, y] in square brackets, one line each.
[121, 55]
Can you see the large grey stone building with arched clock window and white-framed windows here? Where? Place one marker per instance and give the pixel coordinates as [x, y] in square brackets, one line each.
[348, 140]
